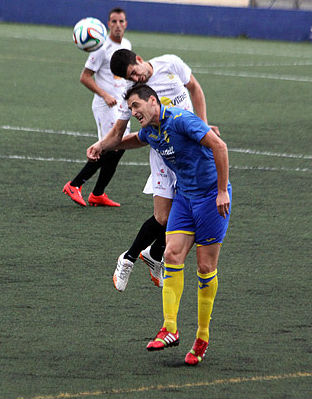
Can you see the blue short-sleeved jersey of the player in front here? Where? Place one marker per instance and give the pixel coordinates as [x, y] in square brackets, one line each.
[177, 141]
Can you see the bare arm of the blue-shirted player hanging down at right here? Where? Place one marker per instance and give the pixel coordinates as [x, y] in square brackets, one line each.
[220, 154]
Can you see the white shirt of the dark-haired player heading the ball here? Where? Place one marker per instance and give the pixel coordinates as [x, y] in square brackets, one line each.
[170, 75]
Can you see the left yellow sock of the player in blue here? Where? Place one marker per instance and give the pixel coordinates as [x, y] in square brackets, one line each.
[172, 292]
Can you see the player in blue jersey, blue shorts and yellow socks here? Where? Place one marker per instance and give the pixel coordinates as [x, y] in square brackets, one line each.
[200, 210]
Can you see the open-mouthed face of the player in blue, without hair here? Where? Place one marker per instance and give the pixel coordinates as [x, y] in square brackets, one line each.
[144, 111]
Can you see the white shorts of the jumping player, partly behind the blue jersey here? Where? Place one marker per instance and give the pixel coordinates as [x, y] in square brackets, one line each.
[162, 180]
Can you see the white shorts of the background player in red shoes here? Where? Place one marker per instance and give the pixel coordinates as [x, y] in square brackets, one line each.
[105, 118]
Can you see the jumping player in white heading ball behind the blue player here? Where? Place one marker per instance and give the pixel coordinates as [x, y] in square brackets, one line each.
[174, 83]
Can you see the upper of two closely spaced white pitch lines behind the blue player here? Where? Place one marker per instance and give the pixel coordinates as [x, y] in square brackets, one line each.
[240, 150]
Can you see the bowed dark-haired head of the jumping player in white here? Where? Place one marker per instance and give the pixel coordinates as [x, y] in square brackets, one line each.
[126, 64]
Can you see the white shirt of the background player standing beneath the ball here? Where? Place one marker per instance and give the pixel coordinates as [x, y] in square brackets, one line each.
[99, 62]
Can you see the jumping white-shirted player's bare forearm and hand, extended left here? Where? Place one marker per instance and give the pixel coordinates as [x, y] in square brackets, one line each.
[110, 141]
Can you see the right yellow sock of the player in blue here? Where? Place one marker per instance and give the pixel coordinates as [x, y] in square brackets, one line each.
[207, 290]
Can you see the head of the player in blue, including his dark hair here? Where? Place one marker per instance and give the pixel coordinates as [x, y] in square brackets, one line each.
[144, 104]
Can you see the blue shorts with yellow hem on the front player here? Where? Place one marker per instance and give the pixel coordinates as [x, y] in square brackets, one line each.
[199, 217]
